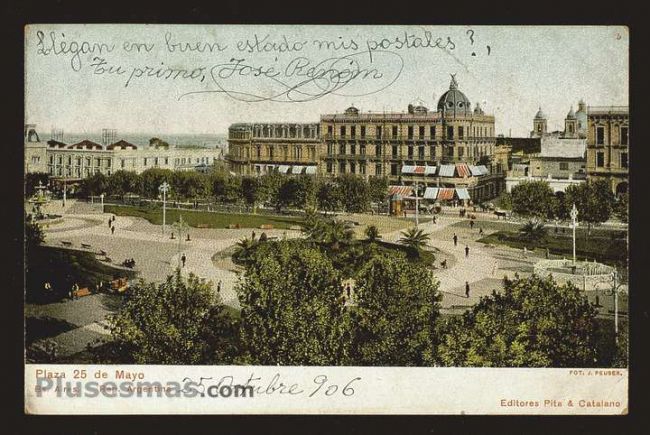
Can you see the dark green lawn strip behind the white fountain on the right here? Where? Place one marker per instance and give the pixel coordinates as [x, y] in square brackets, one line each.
[607, 248]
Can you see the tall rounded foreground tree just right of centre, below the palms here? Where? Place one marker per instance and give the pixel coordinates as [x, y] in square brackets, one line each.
[397, 306]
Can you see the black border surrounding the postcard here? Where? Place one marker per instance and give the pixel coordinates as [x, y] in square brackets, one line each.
[19, 13]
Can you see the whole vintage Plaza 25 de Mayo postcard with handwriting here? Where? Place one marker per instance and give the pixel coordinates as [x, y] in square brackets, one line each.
[266, 219]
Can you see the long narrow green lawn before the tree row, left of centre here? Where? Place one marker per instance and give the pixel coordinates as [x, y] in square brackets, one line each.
[204, 219]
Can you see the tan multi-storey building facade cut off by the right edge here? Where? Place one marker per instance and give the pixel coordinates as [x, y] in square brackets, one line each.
[608, 146]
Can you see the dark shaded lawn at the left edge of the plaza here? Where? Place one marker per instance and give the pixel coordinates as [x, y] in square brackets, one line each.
[62, 268]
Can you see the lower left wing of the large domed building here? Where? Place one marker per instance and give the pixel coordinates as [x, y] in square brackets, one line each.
[260, 148]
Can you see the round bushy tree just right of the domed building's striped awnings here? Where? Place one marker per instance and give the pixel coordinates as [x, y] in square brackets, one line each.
[533, 199]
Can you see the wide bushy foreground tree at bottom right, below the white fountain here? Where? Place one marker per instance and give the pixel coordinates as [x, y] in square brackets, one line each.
[533, 322]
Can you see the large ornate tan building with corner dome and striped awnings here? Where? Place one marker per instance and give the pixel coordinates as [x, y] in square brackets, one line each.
[451, 147]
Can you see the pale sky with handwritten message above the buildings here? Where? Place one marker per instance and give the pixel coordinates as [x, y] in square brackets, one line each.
[511, 71]
